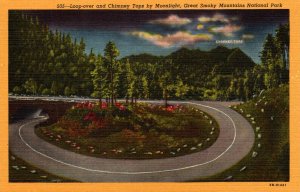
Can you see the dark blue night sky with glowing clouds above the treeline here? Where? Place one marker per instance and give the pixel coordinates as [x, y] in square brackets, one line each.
[163, 32]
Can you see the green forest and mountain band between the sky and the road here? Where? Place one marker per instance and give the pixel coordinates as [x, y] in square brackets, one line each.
[46, 62]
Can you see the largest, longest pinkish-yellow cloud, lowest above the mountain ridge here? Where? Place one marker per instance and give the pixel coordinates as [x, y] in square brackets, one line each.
[171, 40]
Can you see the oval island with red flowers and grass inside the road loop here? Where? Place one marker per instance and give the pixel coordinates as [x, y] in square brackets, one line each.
[138, 131]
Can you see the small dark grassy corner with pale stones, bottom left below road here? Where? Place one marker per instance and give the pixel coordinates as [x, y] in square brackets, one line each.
[21, 171]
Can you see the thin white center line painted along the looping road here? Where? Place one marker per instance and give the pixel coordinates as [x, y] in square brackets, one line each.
[142, 172]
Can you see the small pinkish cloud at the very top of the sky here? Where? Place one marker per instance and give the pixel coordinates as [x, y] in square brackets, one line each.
[172, 20]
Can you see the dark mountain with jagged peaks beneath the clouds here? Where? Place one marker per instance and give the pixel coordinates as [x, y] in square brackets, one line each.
[221, 60]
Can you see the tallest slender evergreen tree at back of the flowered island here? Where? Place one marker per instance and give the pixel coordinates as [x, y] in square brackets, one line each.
[113, 69]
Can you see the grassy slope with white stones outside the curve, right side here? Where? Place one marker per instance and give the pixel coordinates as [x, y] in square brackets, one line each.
[269, 116]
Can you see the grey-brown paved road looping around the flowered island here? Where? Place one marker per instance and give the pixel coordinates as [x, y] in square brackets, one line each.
[235, 140]
